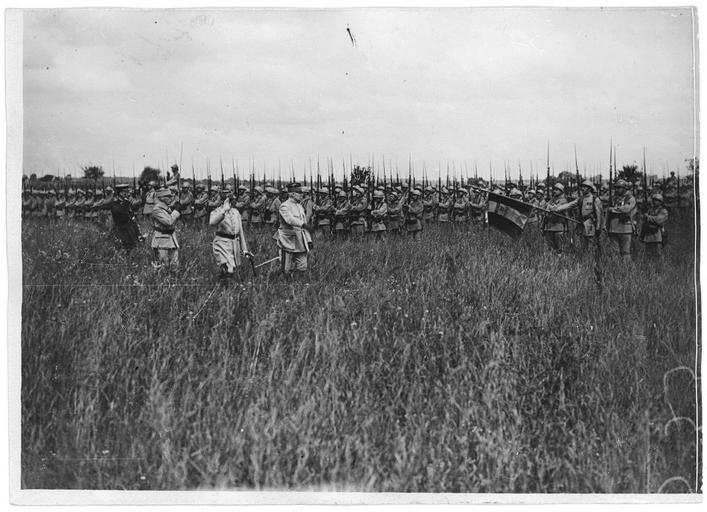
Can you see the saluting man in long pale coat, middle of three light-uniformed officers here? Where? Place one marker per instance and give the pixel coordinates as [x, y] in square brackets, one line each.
[230, 239]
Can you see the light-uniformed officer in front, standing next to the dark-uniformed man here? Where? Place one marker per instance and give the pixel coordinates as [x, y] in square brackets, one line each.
[164, 242]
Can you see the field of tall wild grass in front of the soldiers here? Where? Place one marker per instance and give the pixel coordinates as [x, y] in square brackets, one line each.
[462, 363]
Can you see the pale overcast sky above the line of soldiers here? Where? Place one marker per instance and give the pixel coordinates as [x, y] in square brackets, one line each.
[462, 86]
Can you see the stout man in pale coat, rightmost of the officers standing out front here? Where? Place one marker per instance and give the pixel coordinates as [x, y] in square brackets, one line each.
[292, 233]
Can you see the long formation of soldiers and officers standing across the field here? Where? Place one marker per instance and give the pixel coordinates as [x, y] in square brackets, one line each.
[297, 213]
